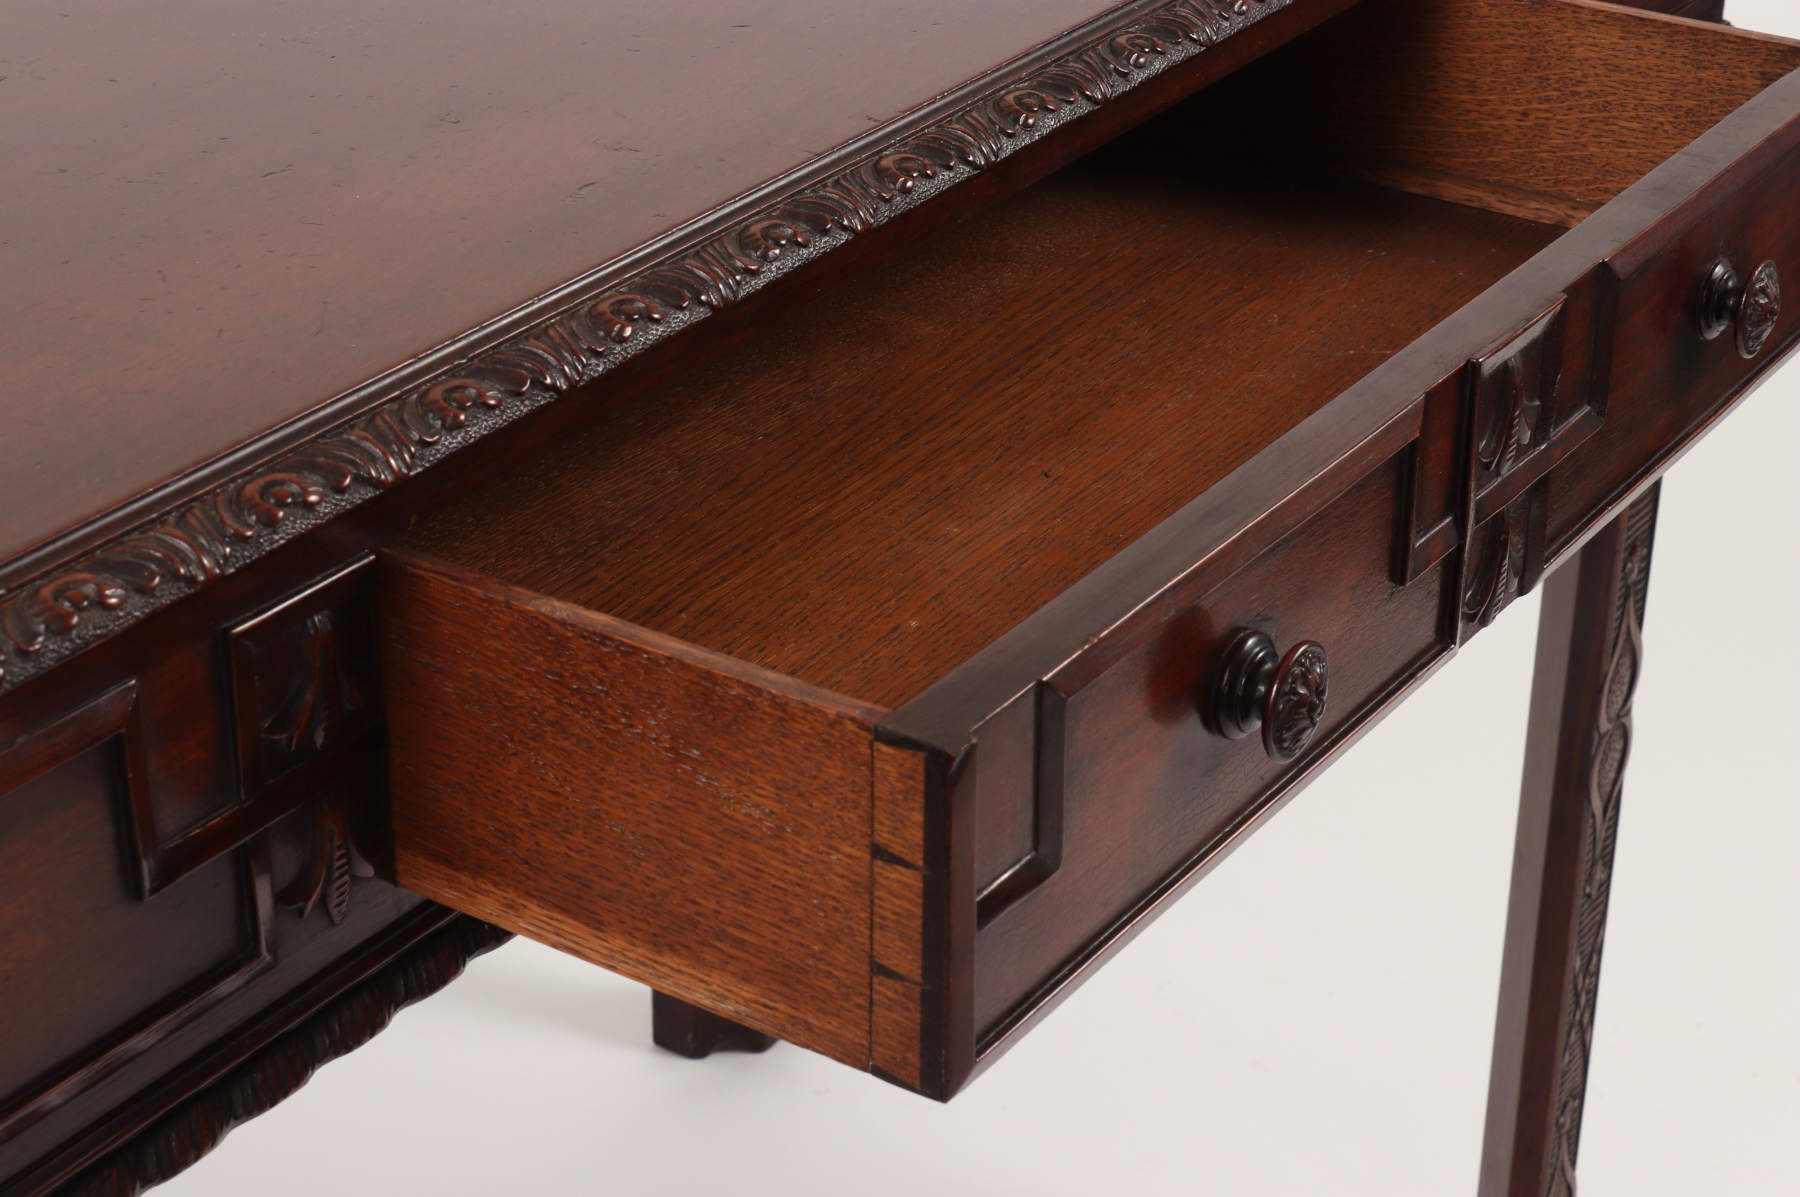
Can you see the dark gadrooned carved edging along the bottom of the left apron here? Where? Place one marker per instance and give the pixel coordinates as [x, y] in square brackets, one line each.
[195, 1128]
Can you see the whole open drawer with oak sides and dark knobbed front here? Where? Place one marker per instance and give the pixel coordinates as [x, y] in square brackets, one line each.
[876, 679]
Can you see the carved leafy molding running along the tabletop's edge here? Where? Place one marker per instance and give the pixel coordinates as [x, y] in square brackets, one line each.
[55, 615]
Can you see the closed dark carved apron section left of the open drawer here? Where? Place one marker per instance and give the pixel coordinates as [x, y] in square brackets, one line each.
[190, 823]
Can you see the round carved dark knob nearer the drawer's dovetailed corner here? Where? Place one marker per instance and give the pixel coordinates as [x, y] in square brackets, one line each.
[1261, 688]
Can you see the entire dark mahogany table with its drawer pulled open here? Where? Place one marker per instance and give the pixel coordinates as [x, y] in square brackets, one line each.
[840, 517]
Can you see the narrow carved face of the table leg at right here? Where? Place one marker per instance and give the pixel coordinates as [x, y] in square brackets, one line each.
[1612, 748]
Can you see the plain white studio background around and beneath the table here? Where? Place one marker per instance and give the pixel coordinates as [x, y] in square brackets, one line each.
[1313, 1020]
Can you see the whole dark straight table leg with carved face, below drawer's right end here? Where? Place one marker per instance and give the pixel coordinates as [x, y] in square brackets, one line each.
[1588, 661]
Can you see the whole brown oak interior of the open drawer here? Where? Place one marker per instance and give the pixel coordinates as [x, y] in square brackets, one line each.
[919, 460]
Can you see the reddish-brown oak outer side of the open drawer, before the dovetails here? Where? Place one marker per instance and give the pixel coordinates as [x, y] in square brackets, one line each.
[658, 811]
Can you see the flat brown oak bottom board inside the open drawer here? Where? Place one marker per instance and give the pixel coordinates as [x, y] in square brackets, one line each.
[867, 507]
